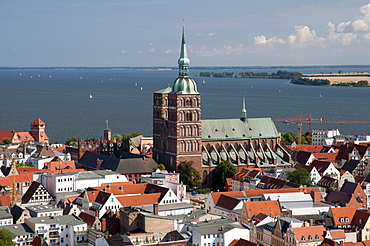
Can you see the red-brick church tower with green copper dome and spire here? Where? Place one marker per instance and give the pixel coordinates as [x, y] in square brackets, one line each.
[176, 119]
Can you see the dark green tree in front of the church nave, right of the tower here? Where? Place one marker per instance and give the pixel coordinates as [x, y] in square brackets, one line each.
[223, 170]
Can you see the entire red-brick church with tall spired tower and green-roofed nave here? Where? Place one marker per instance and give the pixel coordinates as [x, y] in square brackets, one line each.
[179, 133]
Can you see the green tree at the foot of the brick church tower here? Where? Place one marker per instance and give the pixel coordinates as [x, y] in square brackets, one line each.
[189, 175]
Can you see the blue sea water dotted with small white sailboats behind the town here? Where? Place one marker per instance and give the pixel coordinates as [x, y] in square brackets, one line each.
[78, 102]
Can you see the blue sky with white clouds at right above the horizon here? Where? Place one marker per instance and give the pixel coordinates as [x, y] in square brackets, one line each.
[112, 33]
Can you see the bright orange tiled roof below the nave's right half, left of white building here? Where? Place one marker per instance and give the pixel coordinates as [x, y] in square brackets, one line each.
[271, 208]
